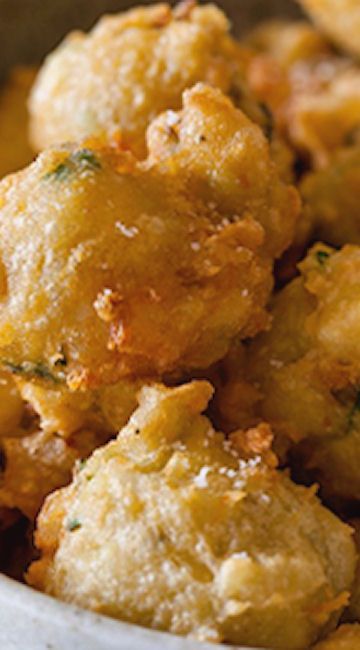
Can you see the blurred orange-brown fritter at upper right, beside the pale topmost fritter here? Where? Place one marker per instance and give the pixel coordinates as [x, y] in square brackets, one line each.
[314, 95]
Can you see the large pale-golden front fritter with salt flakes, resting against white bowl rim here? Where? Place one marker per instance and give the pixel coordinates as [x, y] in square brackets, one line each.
[173, 527]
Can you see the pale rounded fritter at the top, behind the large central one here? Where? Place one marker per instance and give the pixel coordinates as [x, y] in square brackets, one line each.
[131, 67]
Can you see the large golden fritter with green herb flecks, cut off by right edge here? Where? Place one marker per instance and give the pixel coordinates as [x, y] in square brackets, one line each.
[307, 368]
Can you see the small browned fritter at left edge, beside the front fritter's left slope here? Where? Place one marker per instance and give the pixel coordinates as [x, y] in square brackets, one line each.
[38, 463]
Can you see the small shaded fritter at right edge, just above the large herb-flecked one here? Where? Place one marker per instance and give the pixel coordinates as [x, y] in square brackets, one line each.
[332, 201]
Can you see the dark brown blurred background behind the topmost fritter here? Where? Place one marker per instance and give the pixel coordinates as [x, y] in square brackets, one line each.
[31, 28]
